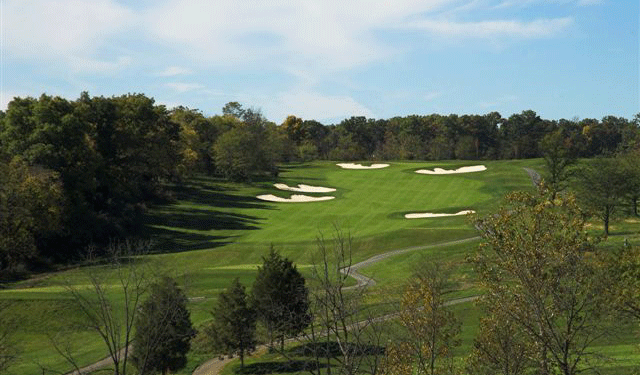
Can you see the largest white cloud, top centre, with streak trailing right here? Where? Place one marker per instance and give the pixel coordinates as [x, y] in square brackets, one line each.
[313, 39]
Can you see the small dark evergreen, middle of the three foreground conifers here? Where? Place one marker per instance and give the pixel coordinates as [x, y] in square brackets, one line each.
[234, 326]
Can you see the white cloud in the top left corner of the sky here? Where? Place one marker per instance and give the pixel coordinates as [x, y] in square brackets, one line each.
[61, 28]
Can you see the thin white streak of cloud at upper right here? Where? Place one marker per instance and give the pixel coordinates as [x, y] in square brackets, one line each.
[541, 28]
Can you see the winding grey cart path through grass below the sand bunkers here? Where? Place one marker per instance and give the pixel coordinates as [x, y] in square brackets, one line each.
[213, 366]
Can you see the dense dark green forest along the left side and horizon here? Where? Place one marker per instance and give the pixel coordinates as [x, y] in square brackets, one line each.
[74, 173]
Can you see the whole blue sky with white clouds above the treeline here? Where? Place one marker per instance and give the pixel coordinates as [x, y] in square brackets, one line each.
[331, 59]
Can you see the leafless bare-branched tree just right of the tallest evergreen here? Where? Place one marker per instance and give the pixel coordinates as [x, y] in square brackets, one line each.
[343, 331]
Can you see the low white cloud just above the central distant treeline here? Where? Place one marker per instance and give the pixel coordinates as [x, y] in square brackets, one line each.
[313, 105]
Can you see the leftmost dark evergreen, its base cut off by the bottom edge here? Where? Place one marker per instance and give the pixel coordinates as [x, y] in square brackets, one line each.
[163, 330]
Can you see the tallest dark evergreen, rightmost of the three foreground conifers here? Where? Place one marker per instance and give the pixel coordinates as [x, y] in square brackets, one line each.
[281, 298]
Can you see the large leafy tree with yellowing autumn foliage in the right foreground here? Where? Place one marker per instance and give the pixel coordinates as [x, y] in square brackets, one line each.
[539, 268]
